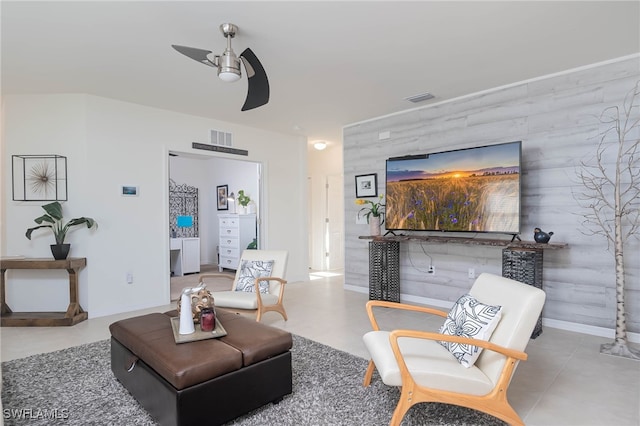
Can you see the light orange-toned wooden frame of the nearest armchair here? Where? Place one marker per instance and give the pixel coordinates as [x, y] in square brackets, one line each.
[494, 403]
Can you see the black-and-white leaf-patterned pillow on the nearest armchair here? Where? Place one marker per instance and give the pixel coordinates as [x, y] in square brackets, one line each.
[469, 318]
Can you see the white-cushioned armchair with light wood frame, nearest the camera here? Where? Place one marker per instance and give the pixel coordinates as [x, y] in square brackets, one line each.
[427, 372]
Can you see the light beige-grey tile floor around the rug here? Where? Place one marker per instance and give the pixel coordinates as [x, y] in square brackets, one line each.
[565, 381]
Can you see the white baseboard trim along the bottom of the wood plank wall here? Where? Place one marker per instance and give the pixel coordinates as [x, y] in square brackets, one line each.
[552, 323]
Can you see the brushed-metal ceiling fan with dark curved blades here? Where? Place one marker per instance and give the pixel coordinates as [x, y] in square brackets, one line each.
[228, 66]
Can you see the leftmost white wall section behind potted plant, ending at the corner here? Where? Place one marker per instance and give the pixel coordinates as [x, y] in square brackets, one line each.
[59, 129]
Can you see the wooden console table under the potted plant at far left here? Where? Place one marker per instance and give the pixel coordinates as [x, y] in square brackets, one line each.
[74, 313]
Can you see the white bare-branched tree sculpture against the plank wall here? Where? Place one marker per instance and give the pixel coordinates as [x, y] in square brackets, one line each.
[612, 198]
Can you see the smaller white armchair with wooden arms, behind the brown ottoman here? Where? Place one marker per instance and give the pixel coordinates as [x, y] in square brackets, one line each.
[256, 301]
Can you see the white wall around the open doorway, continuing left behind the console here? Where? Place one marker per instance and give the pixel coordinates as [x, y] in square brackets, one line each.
[110, 143]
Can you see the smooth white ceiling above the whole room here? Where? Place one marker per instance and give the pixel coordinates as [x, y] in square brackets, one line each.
[329, 63]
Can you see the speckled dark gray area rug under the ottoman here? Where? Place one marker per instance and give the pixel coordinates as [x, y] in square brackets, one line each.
[75, 386]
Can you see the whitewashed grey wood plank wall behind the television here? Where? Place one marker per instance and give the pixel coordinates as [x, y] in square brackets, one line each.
[555, 117]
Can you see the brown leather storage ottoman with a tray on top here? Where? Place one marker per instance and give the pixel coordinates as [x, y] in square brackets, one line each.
[208, 382]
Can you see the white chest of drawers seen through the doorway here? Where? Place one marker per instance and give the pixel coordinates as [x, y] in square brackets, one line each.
[237, 231]
